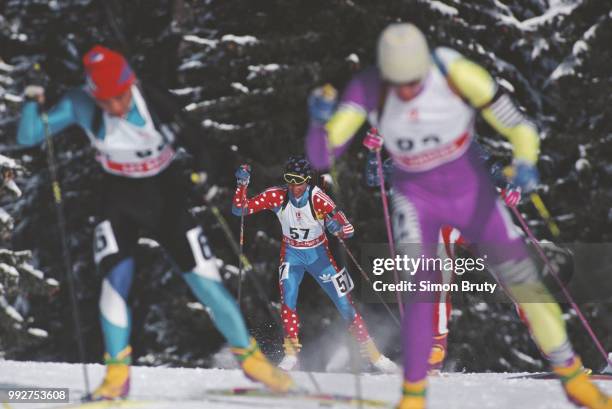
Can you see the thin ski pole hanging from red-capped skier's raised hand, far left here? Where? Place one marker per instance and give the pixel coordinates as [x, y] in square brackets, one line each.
[59, 208]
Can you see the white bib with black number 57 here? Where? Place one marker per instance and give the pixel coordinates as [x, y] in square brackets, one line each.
[300, 228]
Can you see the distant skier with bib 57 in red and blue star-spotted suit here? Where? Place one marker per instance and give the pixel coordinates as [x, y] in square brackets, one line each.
[304, 211]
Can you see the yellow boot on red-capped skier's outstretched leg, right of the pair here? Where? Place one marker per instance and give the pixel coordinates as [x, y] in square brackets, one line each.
[257, 368]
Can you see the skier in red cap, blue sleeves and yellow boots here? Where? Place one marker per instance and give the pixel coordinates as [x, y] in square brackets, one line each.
[143, 189]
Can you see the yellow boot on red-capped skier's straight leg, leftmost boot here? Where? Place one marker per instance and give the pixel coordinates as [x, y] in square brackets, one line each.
[116, 383]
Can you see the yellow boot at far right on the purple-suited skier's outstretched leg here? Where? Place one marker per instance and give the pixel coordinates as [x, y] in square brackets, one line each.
[578, 387]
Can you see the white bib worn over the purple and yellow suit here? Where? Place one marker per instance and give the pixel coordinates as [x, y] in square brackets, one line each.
[433, 128]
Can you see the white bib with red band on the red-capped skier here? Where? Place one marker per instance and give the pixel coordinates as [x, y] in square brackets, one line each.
[133, 151]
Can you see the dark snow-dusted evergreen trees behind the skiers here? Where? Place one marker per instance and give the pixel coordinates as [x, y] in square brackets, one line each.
[243, 70]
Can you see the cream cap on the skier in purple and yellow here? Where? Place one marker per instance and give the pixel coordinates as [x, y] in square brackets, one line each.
[403, 54]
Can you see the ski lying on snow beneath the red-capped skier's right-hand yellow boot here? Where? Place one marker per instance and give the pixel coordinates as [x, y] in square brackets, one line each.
[321, 398]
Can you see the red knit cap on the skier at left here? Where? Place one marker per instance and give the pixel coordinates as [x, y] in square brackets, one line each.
[108, 73]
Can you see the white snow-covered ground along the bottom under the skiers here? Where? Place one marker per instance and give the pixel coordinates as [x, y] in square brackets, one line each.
[186, 388]
